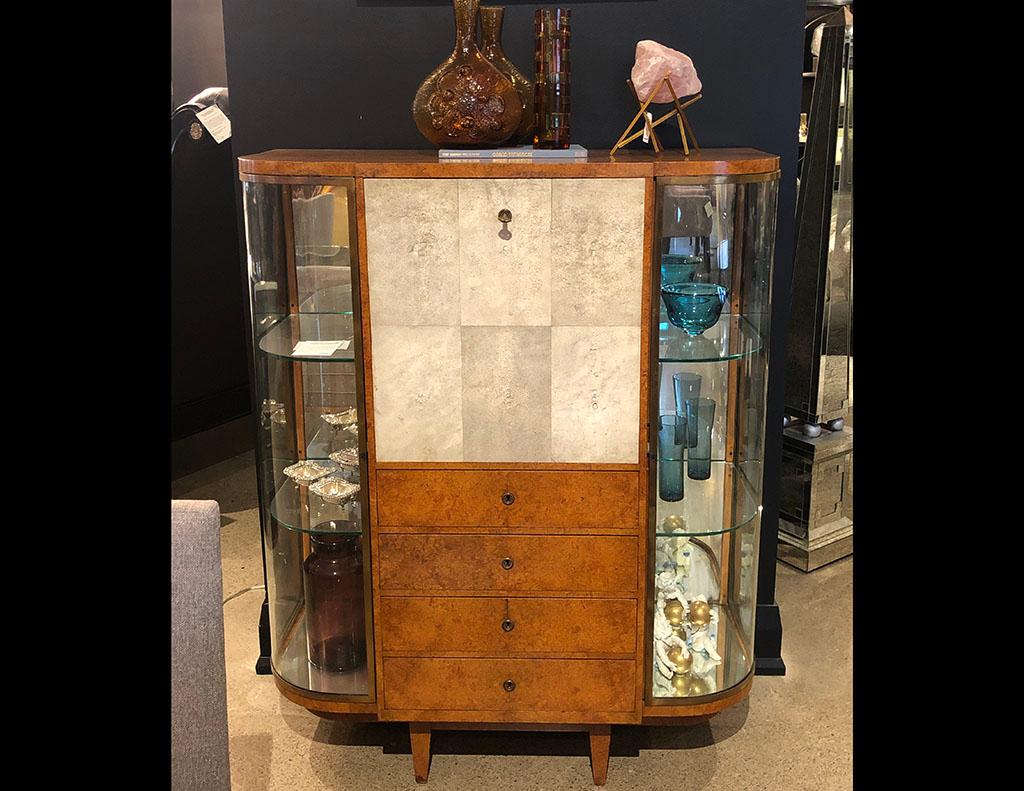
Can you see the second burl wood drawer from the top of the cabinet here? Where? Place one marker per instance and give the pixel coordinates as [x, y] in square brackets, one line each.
[450, 563]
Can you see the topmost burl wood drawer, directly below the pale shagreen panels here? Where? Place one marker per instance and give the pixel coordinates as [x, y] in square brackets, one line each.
[539, 498]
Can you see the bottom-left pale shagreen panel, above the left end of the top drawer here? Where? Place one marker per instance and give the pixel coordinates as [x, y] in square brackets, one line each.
[417, 394]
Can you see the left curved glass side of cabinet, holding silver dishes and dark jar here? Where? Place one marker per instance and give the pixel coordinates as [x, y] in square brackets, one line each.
[312, 453]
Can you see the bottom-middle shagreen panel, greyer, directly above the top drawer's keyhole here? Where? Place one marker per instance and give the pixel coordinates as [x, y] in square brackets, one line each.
[506, 394]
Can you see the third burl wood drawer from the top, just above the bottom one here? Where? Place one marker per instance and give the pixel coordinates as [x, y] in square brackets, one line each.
[500, 627]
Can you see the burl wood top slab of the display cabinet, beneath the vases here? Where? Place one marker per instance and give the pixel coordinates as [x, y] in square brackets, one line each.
[424, 164]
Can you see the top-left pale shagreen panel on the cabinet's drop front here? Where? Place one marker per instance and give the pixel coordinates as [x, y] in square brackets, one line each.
[413, 252]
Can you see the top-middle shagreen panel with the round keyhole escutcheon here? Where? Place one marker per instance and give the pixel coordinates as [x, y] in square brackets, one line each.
[505, 281]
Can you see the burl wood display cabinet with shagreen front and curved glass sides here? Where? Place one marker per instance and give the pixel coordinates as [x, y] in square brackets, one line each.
[499, 487]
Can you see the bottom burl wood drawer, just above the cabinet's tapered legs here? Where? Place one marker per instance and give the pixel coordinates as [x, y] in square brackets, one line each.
[602, 687]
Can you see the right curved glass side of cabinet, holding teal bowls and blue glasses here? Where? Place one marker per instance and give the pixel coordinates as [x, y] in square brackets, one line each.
[714, 244]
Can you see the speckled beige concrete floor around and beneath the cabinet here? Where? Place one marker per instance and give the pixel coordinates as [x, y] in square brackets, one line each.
[794, 732]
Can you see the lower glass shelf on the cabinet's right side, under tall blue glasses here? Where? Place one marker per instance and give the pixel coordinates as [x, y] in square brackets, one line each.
[703, 508]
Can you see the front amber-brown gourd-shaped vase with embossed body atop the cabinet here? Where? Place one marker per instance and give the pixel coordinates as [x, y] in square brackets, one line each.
[467, 101]
